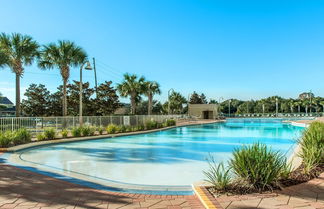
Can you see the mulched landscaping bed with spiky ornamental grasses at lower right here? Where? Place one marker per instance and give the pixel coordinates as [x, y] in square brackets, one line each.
[257, 169]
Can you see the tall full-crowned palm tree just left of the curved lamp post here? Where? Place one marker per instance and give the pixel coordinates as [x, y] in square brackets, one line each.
[63, 55]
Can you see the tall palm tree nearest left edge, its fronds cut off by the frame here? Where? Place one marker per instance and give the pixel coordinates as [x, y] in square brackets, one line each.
[17, 51]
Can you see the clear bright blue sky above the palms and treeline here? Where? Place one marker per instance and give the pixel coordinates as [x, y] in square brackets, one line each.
[242, 49]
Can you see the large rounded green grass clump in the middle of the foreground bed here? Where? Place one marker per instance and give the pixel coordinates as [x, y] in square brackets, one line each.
[258, 166]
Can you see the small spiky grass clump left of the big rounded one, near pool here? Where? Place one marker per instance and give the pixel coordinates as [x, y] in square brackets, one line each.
[217, 175]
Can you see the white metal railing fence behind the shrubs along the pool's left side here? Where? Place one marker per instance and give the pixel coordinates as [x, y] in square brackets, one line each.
[35, 124]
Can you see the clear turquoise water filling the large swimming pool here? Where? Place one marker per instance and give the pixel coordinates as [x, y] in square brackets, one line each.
[173, 157]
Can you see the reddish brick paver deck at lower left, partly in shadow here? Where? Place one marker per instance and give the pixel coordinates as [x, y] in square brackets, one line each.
[24, 189]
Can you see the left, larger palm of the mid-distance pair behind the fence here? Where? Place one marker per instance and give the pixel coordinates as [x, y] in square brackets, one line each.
[132, 86]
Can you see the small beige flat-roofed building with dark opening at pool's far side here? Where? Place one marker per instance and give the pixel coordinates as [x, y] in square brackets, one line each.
[203, 111]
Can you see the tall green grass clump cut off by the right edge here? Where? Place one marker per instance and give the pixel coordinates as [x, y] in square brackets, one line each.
[312, 146]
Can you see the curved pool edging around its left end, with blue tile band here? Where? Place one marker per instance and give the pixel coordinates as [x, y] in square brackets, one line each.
[122, 187]
